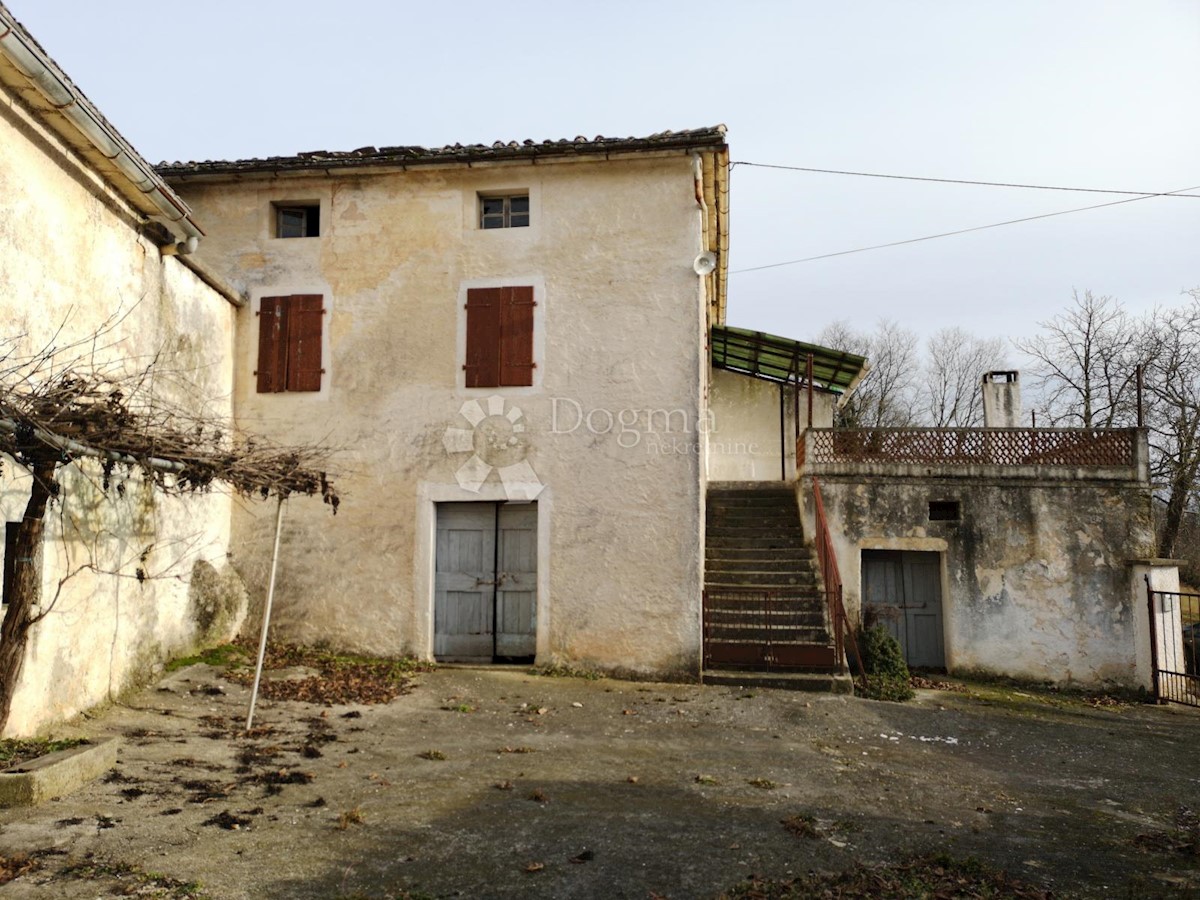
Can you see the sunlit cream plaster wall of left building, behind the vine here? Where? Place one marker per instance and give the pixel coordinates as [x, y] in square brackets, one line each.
[71, 261]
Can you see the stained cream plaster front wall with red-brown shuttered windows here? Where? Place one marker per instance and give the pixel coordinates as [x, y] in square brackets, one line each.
[620, 334]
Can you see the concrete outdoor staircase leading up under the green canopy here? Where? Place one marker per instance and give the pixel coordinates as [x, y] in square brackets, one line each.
[765, 615]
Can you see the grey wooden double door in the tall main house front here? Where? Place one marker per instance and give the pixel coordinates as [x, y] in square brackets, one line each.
[485, 608]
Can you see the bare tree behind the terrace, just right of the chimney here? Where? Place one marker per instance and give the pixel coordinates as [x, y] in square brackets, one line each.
[1087, 363]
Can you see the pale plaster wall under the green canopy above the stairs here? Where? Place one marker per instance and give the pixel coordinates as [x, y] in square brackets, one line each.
[745, 428]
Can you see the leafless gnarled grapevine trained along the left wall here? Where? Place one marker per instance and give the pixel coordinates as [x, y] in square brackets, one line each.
[62, 409]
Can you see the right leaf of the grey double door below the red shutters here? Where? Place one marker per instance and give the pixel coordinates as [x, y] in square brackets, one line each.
[517, 581]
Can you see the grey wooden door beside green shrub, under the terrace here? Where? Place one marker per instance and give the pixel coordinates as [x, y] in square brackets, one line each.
[904, 589]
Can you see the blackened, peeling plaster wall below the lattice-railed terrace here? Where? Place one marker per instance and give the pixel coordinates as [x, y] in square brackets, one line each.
[1037, 579]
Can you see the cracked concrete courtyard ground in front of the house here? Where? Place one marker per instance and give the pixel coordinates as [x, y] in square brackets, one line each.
[565, 788]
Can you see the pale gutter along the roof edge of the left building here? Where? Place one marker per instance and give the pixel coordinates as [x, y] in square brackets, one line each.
[56, 88]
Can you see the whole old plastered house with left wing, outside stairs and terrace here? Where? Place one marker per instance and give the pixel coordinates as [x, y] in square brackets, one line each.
[555, 448]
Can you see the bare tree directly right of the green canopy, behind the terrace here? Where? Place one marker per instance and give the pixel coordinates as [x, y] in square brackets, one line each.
[886, 395]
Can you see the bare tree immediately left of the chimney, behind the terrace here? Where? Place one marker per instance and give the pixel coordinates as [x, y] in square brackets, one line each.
[955, 367]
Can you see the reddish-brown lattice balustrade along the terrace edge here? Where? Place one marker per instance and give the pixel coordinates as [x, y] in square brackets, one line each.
[975, 447]
